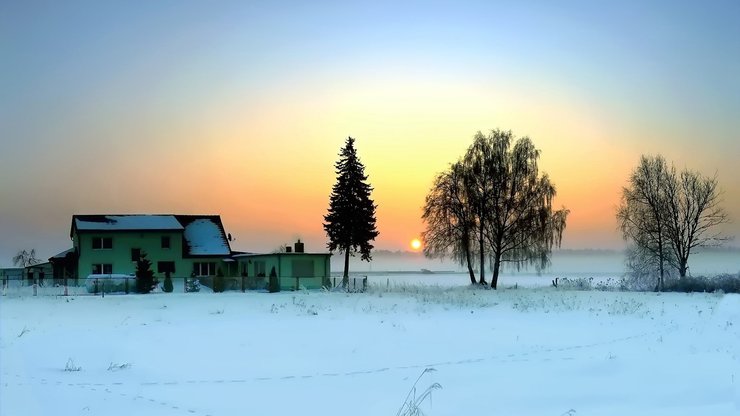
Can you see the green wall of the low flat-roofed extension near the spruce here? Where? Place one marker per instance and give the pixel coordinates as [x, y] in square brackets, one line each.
[283, 264]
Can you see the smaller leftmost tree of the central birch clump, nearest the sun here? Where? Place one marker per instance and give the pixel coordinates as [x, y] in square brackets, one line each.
[449, 219]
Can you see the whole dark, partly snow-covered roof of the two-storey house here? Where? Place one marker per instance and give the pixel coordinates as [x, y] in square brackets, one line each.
[204, 235]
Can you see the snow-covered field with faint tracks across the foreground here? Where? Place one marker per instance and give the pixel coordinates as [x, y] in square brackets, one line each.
[541, 351]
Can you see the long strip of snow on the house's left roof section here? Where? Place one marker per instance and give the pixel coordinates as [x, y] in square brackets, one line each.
[126, 222]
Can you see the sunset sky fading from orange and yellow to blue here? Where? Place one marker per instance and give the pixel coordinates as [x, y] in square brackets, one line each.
[241, 108]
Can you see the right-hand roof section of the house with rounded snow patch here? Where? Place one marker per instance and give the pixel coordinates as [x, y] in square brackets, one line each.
[204, 236]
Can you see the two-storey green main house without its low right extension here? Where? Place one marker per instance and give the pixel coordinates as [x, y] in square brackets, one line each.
[183, 245]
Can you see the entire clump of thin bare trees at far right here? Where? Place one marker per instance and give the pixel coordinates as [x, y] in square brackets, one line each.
[665, 215]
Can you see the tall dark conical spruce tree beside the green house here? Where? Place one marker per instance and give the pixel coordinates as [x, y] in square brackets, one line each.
[350, 222]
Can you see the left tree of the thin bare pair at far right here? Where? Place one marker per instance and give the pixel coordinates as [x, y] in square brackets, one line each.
[642, 215]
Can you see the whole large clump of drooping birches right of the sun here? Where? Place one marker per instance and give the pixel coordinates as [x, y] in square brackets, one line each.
[496, 199]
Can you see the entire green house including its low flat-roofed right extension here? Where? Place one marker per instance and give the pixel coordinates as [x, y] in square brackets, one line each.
[183, 245]
